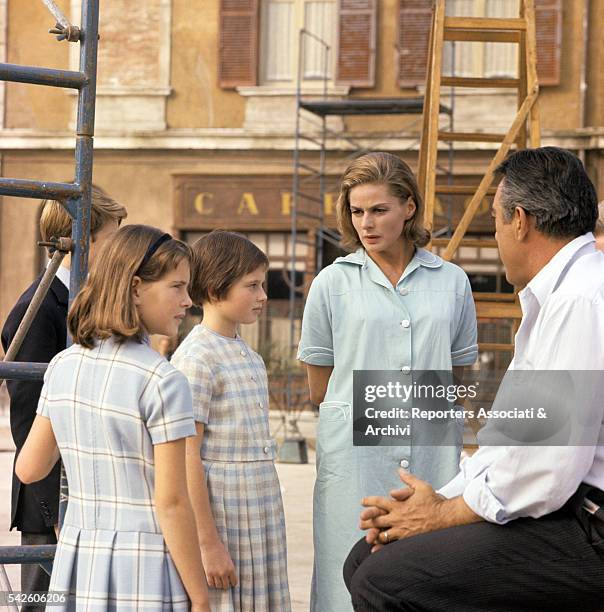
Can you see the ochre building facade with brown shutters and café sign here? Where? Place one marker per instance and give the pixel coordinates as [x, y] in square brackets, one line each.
[196, 109]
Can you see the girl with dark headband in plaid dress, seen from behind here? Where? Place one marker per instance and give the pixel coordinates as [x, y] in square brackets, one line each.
[118, 414]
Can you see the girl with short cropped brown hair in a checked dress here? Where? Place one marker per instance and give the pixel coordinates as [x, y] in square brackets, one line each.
[243, 548]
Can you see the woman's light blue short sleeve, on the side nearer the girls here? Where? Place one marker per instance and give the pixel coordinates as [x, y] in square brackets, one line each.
[316, 340]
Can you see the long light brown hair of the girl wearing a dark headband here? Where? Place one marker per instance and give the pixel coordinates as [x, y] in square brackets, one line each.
[104, 307]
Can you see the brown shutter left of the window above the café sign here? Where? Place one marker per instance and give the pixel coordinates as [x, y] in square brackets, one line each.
[238, 52]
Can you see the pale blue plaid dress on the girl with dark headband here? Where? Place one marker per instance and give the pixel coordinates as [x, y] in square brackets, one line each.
[108, 406]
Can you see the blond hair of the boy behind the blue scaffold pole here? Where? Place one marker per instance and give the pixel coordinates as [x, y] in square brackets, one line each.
[55, 221]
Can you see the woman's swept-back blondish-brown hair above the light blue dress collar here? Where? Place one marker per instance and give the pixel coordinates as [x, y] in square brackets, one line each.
[385, 169]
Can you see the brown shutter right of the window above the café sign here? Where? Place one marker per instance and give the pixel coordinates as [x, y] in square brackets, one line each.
[356, 42]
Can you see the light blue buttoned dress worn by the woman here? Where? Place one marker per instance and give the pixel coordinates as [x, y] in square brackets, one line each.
[354, 319]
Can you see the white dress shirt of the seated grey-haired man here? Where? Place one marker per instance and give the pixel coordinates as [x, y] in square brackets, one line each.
[562, 328]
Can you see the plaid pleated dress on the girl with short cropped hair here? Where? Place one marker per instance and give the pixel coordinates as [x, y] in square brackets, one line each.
[230, 396]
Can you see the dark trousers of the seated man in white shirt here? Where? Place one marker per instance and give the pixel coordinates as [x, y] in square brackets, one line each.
[547, 564]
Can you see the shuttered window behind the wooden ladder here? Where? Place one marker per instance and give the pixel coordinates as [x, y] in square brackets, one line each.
[477, 59]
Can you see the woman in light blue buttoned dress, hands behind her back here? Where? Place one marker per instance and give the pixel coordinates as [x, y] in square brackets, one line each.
[389, 305]
